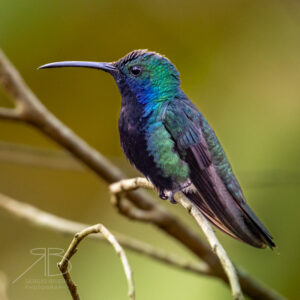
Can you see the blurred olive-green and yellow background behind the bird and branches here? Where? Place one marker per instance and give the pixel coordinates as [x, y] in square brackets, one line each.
[239, 62]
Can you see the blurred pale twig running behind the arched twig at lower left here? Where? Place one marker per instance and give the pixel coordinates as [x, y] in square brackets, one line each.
[45, 220]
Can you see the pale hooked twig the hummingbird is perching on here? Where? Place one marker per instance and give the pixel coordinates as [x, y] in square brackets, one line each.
[131, 184]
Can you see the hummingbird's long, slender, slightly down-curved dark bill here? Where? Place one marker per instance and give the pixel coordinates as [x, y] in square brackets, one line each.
[107, 67]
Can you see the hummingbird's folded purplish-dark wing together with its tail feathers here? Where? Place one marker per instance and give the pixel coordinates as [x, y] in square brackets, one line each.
[221, 201]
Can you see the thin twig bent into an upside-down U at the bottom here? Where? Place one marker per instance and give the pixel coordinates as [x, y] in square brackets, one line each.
[98, 228]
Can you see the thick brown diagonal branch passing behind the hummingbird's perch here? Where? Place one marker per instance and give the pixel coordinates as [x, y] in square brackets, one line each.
[33, 112]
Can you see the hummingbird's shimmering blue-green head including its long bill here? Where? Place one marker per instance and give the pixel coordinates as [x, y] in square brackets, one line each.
[149, 76]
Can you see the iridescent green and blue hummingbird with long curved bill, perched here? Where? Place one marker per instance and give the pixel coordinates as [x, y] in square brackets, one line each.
[166, 137]
